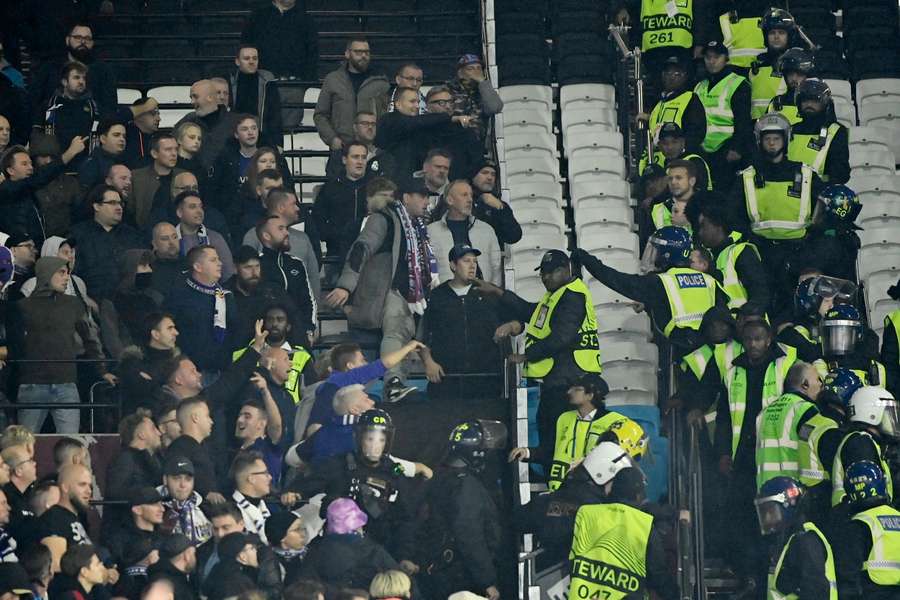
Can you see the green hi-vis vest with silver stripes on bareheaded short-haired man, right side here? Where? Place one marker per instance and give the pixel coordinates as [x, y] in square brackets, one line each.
[777, 441]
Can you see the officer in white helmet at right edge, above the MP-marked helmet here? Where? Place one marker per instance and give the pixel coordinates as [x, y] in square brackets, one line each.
[873, 424]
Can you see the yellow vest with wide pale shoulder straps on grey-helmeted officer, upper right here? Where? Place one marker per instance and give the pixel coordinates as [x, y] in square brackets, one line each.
[780, 210]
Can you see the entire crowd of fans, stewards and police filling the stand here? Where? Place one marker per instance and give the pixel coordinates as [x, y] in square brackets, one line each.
[257, 458]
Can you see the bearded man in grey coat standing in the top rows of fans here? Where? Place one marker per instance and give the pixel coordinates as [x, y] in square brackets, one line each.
[347, 90]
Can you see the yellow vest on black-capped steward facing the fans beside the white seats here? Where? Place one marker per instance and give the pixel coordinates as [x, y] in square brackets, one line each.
[586, 350]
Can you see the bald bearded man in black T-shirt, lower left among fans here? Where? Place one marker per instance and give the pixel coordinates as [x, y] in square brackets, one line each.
[60, 527]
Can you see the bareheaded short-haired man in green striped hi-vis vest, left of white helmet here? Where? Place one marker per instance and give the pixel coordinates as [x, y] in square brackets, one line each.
[778, 428]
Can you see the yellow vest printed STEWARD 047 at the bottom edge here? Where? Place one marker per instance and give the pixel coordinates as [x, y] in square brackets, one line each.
[609, 552]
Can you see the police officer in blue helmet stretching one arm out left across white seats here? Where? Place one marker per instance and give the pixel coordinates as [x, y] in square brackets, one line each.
[675, 296]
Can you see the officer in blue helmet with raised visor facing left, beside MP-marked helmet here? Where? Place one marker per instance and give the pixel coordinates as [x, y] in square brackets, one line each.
[805, 566]
